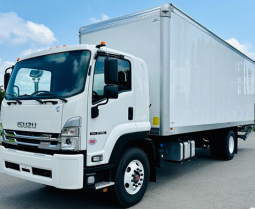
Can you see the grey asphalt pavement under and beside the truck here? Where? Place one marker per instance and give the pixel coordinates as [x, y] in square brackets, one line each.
[201, 183]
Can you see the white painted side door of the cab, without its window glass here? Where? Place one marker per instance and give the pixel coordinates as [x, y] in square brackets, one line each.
[112, 114]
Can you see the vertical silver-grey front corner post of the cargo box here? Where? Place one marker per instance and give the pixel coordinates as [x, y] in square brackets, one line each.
[165, 15]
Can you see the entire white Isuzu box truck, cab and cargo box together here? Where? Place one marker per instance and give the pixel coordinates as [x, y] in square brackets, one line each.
[97, 115]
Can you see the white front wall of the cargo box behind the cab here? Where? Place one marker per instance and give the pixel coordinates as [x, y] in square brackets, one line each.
[141, 38]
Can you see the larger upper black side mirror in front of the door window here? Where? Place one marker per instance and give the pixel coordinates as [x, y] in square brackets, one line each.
[111, 71]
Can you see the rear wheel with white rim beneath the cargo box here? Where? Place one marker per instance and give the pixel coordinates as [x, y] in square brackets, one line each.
[228, 145]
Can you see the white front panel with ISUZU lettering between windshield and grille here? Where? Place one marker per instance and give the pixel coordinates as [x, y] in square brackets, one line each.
[46, 117]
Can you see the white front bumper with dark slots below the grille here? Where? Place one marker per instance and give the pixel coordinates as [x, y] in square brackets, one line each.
[66, 170]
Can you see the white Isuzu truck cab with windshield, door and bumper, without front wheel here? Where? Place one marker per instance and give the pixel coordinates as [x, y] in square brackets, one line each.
[65, 111]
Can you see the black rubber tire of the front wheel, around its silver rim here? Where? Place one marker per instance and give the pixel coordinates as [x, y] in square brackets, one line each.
[124, 197]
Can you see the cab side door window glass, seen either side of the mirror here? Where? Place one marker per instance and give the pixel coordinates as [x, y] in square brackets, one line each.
[124, 77]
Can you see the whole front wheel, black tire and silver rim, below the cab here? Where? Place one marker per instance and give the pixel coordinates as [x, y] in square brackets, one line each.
[132, 177]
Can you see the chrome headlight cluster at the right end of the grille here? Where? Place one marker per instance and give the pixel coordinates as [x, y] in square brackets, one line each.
[70, 134]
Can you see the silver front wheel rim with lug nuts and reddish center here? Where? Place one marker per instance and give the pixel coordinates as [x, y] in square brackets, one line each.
[133, 177]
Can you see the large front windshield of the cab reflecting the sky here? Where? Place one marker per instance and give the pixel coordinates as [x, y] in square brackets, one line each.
[61, 74]
